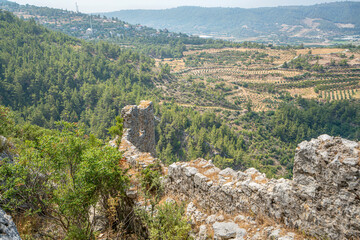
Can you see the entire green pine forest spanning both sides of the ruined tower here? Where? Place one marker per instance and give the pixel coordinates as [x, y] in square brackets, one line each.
[47, 76]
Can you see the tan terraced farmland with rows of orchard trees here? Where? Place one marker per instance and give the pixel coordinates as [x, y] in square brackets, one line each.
[242, 79]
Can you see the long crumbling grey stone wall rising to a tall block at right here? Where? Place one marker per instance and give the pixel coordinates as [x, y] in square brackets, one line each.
[323, 199]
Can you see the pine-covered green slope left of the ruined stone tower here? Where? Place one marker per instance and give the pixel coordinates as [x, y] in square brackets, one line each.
[48, 76]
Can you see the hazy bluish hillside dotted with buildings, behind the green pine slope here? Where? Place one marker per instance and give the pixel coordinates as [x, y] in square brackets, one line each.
[158, 43]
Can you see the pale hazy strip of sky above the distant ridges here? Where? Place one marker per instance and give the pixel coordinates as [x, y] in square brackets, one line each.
[88, 6]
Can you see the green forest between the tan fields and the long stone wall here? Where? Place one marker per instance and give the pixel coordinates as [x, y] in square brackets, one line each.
[267, 140]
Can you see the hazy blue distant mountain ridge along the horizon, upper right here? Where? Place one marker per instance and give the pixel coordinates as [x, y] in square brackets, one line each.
[321, 22]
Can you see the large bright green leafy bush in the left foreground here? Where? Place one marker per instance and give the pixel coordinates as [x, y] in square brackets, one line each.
[61, 176]
